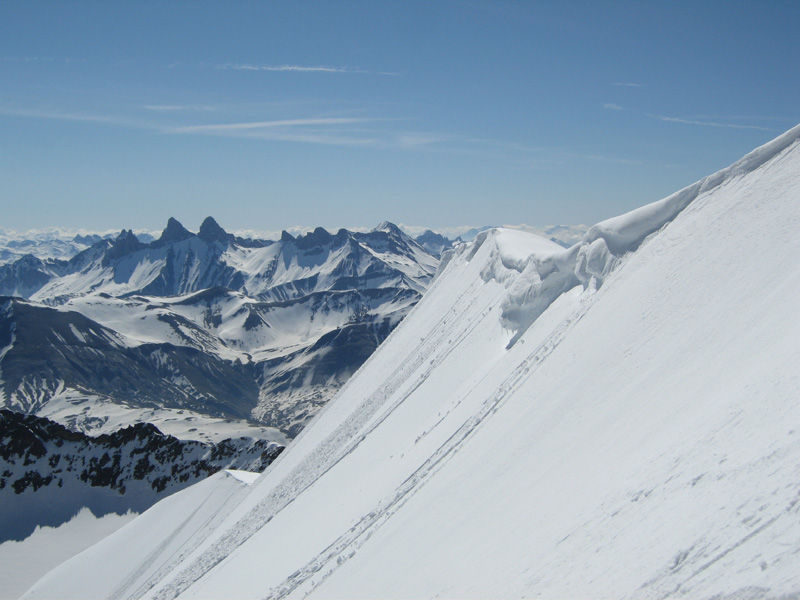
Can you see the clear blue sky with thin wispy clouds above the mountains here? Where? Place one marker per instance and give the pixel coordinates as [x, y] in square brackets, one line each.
[269, 115]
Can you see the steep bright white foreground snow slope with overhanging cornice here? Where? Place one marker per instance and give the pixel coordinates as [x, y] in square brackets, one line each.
[618, 419]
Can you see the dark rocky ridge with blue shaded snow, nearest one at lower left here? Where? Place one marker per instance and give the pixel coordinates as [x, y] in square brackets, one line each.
[48, 473]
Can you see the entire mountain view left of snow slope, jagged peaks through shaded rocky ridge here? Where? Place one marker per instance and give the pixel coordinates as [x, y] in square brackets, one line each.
[133, 369]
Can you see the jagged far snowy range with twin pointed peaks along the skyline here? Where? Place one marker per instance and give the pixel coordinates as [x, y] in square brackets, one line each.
[181, 262]
